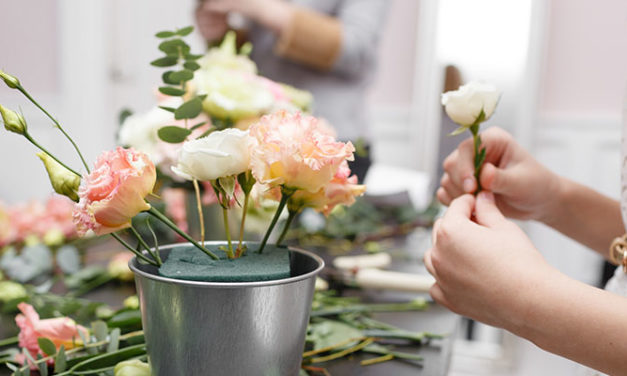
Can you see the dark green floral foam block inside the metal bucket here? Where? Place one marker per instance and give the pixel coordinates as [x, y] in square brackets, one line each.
[189, 263]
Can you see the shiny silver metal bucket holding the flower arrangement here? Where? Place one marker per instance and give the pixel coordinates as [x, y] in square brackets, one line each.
[215, 328]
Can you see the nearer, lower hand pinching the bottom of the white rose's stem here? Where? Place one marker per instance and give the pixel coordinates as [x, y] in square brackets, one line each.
[484, 269]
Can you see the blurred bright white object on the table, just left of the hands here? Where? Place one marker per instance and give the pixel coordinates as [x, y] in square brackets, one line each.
[386, 180]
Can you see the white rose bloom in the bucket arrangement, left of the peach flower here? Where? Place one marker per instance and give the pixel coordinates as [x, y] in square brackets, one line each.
[221, 154]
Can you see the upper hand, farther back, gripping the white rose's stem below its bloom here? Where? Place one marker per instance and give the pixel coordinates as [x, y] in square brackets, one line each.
[524, 189]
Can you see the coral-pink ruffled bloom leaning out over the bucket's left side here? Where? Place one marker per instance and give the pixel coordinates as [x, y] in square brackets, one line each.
[114, 191]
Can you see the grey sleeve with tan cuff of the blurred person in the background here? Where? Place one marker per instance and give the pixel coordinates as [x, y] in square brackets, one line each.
[345, 44]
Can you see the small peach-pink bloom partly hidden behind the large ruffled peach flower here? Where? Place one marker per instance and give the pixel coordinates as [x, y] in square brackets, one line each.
[341, 190]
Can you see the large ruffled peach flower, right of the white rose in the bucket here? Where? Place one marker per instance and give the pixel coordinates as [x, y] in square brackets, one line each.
[292, 151]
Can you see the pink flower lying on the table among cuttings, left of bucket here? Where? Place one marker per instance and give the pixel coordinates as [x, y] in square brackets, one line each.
[61, 331]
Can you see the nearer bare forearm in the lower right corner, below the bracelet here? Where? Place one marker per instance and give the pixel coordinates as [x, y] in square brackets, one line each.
[575, 320]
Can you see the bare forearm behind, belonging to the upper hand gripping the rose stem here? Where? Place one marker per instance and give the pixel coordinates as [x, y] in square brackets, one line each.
[586, 216]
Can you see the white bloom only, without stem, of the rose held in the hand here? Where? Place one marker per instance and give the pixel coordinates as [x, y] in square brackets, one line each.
[464, 105]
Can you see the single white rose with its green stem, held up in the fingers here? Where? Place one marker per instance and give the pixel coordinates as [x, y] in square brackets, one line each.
[469, 106]
